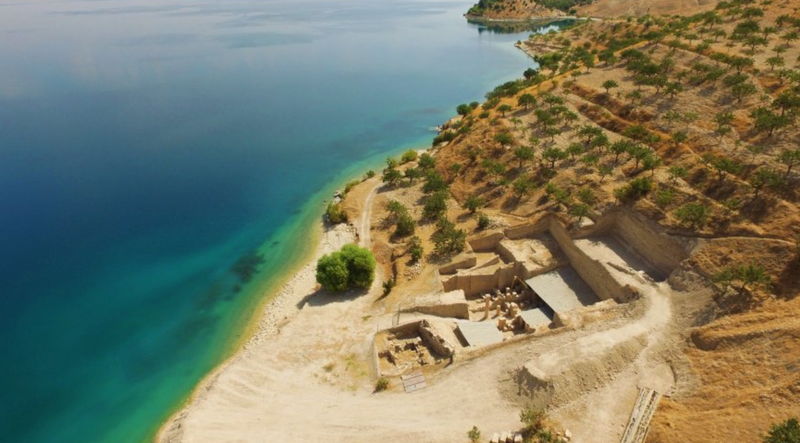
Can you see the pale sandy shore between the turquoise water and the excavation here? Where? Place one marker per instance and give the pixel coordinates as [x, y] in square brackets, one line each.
[307, 375]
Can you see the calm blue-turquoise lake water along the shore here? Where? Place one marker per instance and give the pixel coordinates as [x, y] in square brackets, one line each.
[146, 145]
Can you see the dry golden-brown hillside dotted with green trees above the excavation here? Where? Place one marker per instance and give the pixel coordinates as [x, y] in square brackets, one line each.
[690, 122]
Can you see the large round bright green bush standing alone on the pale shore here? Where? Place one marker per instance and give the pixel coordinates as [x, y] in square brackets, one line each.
[351, 267]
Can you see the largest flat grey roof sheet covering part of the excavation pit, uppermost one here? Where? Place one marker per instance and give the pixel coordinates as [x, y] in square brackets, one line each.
[563, 289]
